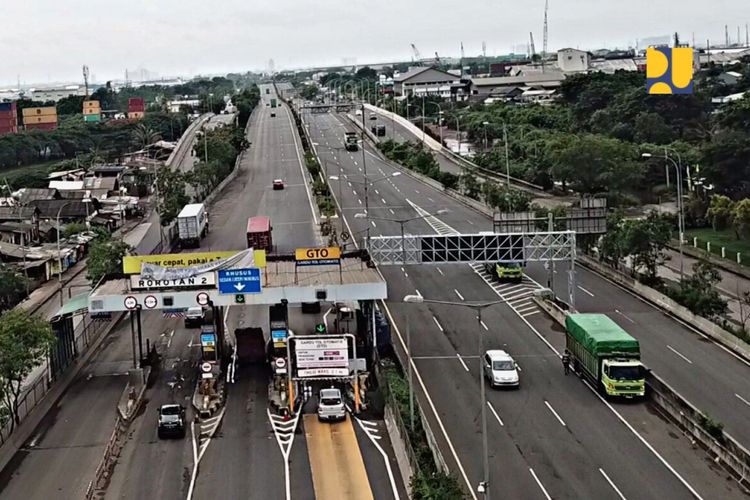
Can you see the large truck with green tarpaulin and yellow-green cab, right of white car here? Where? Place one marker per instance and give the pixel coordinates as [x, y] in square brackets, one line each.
[606, 354]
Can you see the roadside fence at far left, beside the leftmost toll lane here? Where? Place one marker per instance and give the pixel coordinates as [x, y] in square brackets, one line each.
[86, 332]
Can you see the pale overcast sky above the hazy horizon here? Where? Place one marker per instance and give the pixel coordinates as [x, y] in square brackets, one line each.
[49, 40]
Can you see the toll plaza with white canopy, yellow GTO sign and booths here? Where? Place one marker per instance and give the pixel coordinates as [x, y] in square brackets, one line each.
[334, 286]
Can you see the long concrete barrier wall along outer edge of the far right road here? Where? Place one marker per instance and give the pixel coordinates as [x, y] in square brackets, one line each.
[663, 302]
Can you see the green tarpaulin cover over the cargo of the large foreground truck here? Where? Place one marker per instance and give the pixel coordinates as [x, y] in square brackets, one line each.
[600, 335]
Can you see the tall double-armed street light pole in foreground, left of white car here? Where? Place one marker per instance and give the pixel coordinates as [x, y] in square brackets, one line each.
[477, 307]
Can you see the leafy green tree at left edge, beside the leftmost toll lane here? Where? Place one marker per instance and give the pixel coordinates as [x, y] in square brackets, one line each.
[24, 341]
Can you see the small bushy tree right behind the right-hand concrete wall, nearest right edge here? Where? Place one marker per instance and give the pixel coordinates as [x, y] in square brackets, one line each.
[698, 291]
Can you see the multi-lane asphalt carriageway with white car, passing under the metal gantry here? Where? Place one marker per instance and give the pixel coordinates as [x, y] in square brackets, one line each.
[552, 437]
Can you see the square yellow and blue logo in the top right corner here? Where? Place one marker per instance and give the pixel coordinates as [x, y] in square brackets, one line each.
[669, 70]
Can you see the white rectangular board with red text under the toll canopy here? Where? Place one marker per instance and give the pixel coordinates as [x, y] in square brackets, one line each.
[322, 357]
